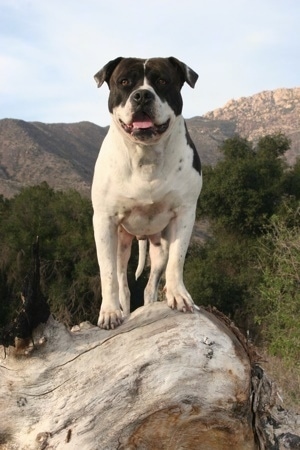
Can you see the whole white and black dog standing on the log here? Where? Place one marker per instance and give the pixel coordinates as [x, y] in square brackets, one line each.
[146, 183]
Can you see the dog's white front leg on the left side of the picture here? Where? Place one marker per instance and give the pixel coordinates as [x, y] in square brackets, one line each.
[106, 238]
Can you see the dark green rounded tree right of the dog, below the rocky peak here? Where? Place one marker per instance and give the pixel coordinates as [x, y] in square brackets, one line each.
[244, 189]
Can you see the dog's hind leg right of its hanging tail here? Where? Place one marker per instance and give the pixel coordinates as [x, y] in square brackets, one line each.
[158, 251]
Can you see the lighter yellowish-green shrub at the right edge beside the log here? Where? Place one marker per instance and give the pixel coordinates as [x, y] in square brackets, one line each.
[277, 309]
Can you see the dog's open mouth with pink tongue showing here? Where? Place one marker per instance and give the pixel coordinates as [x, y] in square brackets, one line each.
[143, 125]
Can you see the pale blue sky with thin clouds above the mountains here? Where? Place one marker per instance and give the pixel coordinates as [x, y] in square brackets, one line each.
[51, 49]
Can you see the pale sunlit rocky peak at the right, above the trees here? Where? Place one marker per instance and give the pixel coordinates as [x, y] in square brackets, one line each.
[263, 113]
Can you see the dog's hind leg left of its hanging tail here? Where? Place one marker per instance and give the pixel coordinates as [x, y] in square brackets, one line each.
[124, 250]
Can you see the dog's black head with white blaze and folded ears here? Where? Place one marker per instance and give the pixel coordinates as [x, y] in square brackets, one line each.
[145, 94]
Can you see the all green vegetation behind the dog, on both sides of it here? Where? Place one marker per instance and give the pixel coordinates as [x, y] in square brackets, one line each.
[249, 269]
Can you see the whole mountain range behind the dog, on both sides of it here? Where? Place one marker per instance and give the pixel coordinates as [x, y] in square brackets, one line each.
[64, 155]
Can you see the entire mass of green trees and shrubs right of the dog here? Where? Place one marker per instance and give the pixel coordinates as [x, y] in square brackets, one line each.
[250, 270]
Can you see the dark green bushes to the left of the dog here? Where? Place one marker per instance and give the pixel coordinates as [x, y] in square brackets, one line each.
[69, 271]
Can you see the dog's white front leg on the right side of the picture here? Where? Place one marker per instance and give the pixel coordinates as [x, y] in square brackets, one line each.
[179, 234]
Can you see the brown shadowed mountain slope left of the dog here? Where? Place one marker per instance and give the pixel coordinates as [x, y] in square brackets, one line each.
[63, 155]
